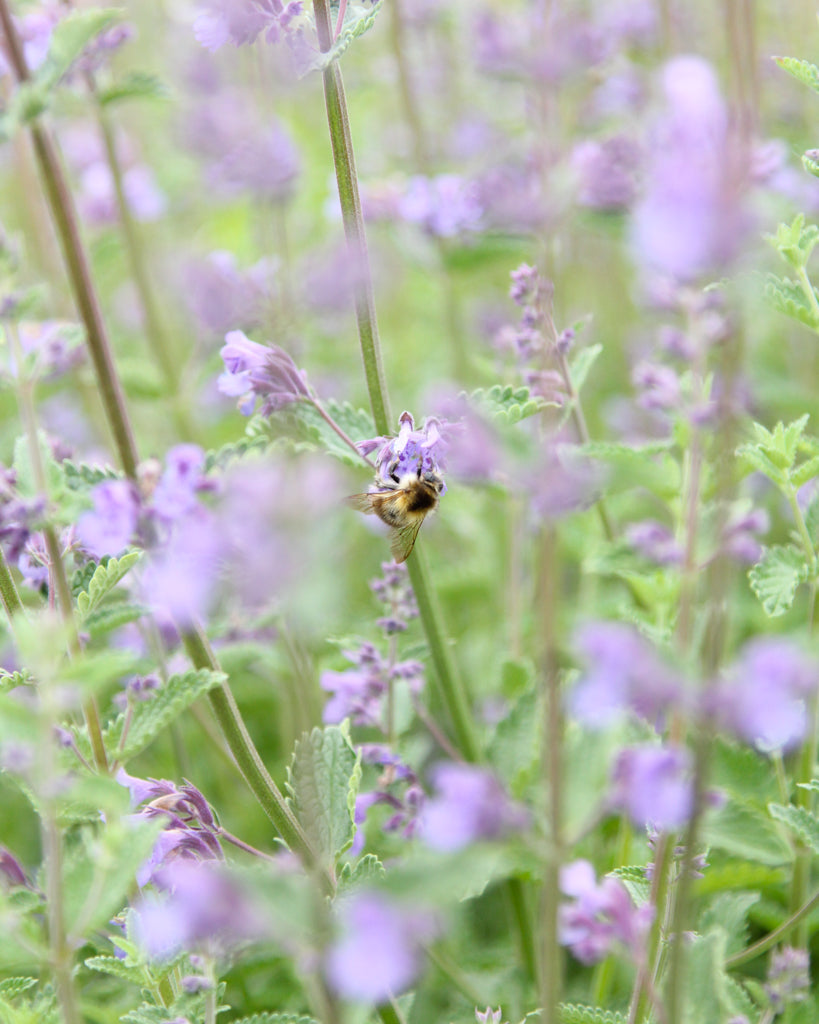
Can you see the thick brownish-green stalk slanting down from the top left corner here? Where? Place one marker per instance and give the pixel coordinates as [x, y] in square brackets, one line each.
[64, 216]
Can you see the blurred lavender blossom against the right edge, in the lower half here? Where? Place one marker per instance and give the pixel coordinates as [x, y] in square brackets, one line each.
[762, 698]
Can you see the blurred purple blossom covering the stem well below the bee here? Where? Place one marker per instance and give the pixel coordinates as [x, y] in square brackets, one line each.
[469, 805]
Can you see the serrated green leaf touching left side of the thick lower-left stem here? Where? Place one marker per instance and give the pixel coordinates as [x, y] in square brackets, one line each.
[151, 717]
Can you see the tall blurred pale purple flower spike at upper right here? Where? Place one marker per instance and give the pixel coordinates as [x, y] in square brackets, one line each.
[691, 221]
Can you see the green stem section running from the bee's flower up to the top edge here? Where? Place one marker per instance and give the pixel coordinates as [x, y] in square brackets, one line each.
[353, 218]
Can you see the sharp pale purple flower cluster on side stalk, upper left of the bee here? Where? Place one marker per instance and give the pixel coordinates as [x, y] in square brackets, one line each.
[266, 372]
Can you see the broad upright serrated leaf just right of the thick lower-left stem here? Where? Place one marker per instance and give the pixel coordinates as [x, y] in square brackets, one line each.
[323, 783]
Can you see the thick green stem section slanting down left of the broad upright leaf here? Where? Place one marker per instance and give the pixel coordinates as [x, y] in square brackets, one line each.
[250, 763]
